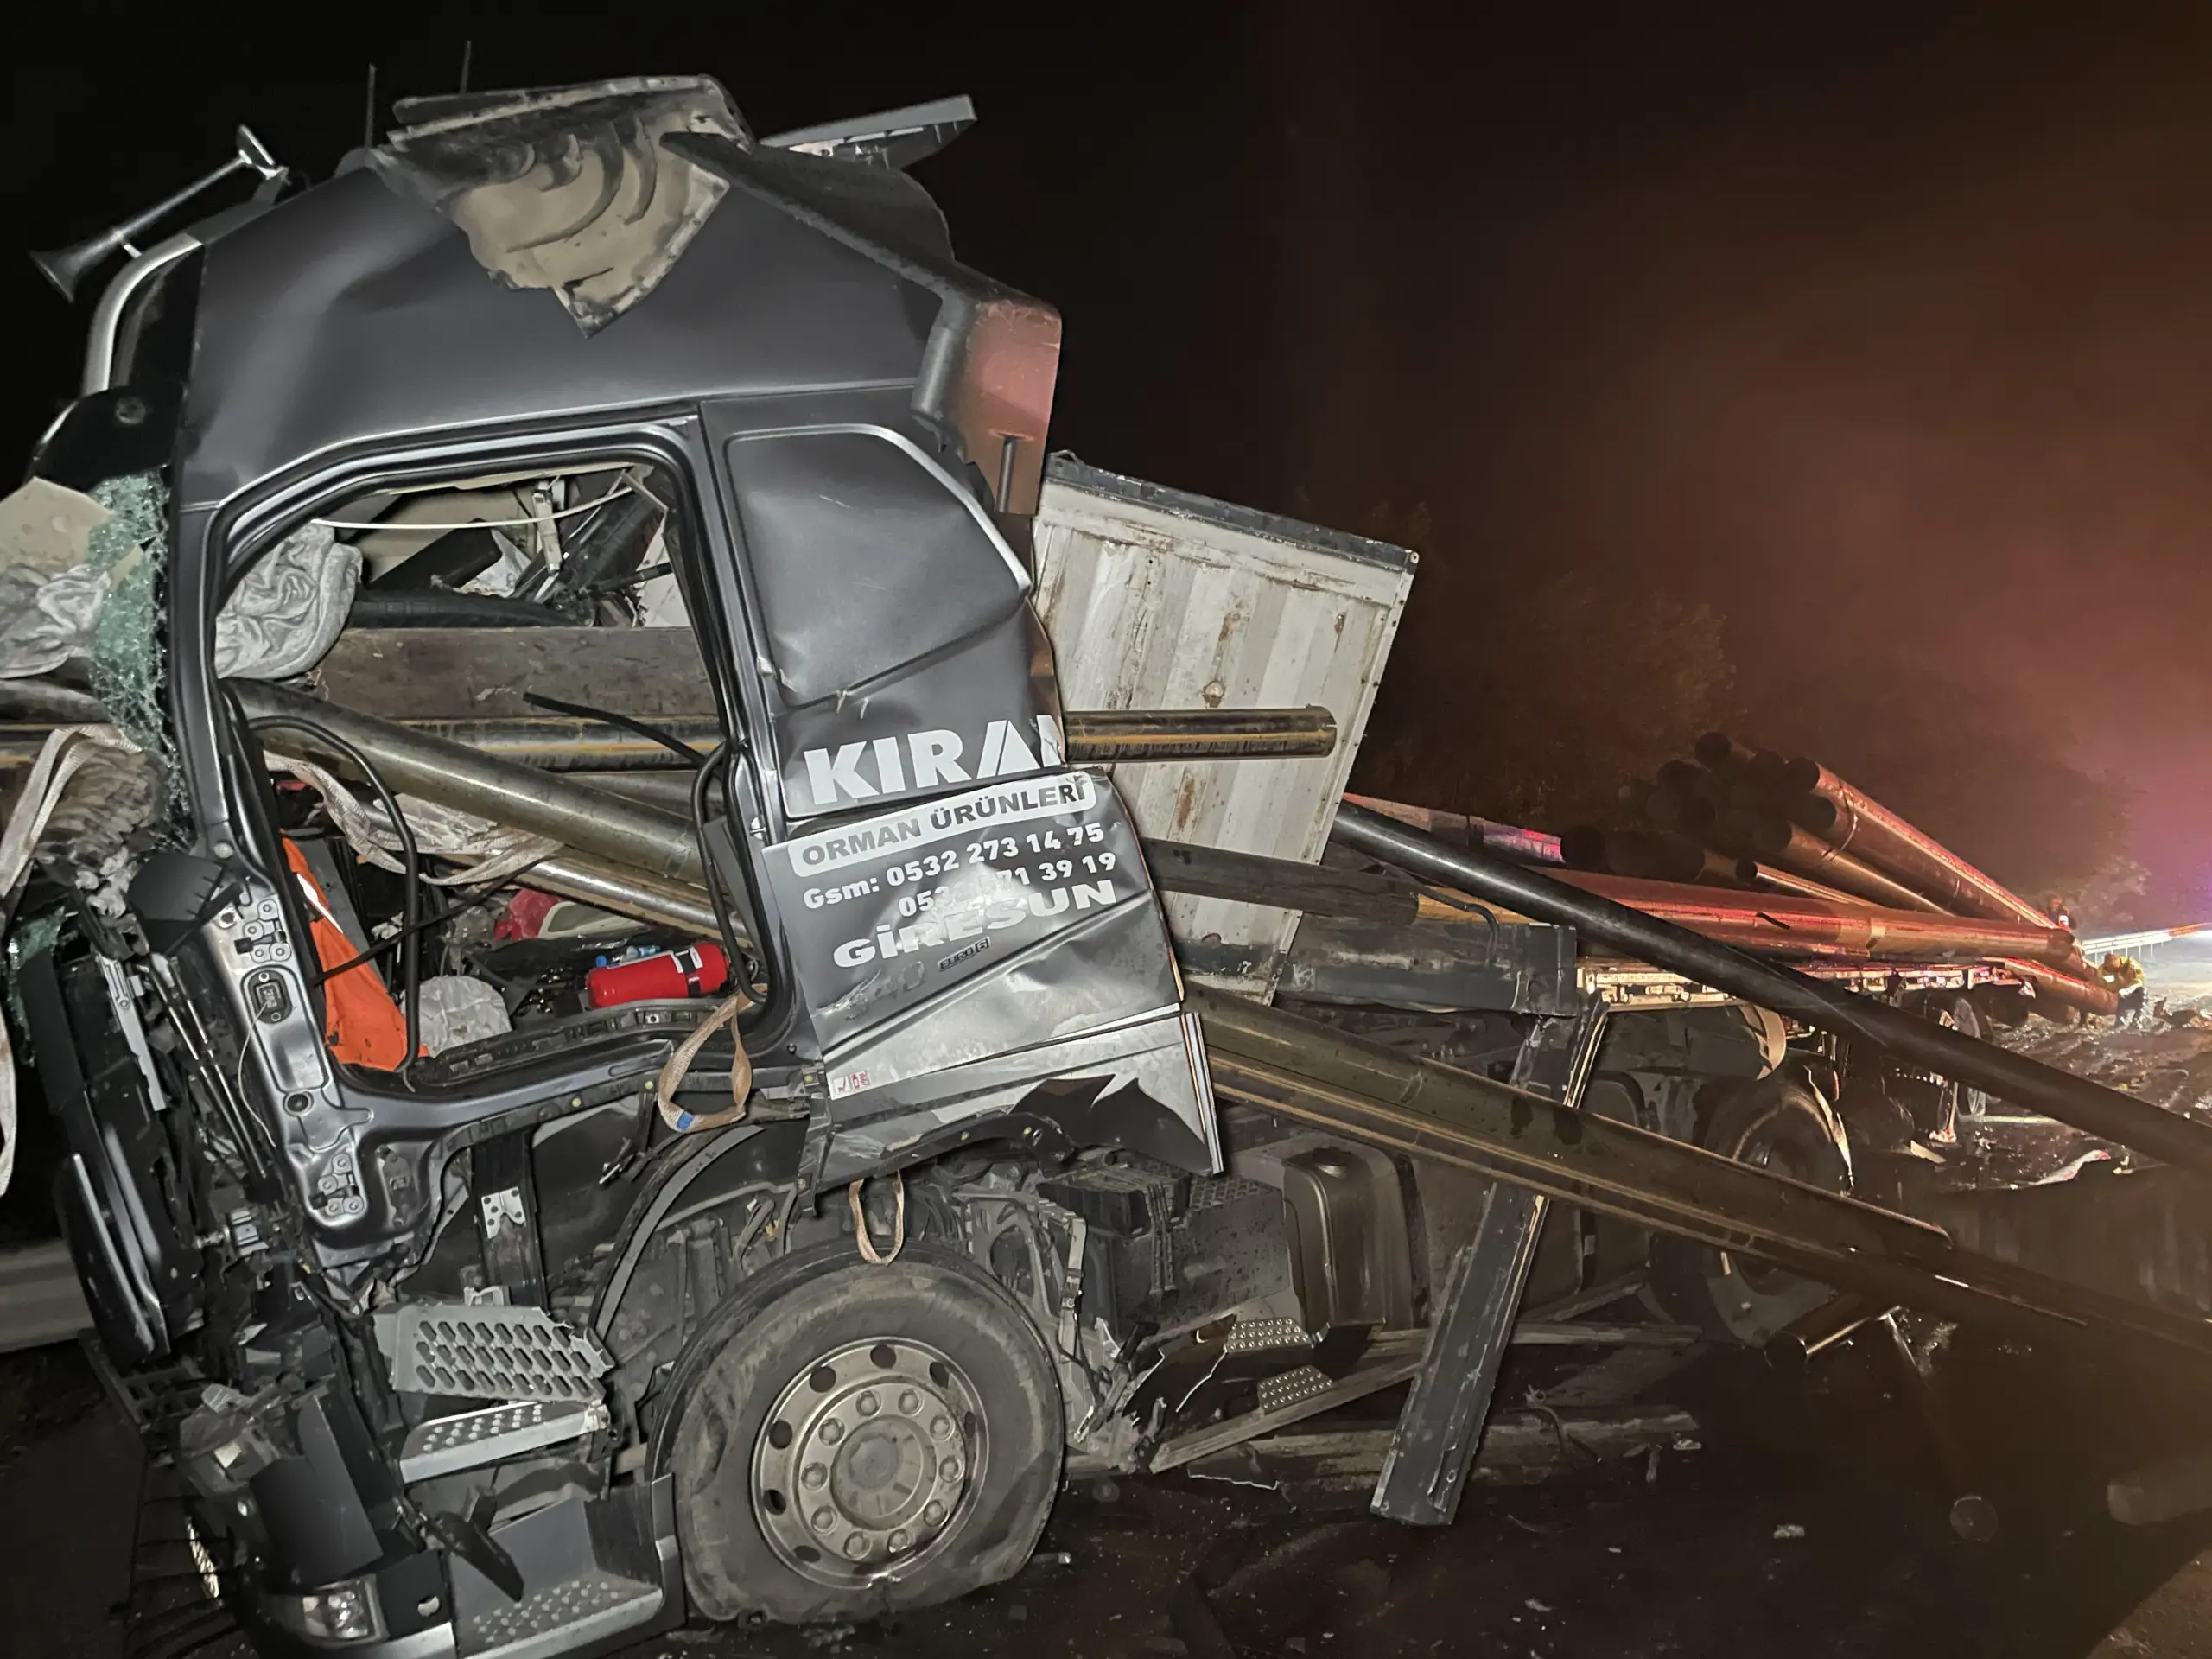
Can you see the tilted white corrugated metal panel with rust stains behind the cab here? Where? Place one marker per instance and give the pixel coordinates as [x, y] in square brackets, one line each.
[1167, 601]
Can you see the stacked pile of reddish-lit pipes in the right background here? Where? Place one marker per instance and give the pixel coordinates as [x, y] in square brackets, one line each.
[1784, 857]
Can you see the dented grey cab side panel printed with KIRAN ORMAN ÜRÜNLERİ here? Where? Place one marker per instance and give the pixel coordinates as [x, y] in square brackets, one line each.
[948, 888]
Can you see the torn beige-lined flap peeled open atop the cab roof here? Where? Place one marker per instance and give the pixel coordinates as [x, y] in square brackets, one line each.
[567, 189]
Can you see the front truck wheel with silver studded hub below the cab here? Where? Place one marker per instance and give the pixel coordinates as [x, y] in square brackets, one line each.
[859, 1439]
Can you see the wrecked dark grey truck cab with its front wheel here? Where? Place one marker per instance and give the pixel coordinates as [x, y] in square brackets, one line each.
[523, 1342]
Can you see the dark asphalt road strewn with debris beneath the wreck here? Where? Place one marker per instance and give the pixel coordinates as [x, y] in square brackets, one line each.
[1808, 1521]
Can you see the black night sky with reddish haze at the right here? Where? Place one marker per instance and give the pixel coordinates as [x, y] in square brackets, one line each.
[1879, 333]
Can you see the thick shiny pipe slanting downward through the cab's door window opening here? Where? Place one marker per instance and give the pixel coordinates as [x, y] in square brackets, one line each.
[497, 789]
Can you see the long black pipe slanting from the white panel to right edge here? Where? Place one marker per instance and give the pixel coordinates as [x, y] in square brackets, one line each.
[1912, 1041]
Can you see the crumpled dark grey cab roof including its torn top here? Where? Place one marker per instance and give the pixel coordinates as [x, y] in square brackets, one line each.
[357, 311]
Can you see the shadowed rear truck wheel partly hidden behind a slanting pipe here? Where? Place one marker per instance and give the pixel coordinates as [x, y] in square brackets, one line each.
[1784, 1127]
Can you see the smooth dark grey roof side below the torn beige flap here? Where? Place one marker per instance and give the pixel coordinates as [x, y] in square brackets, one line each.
[353, 313]
